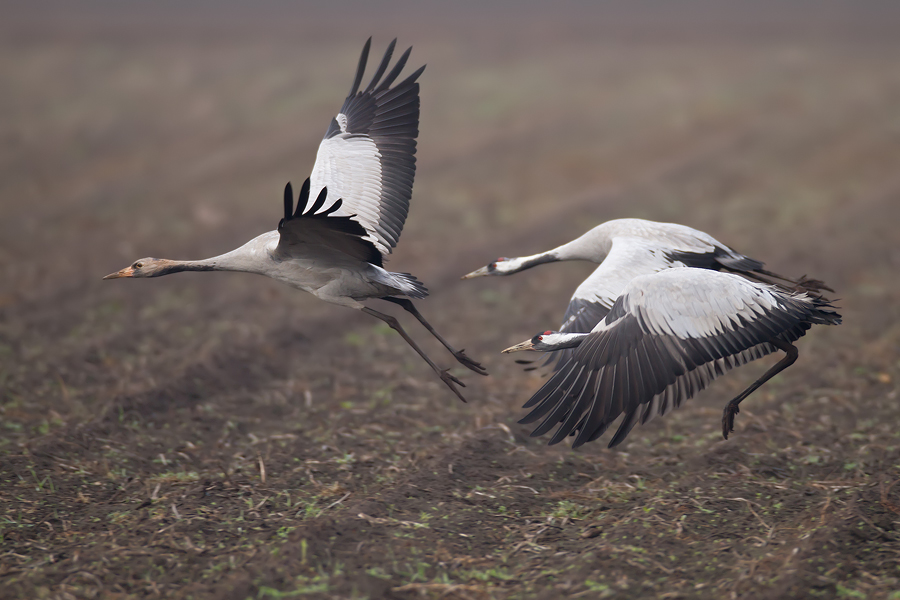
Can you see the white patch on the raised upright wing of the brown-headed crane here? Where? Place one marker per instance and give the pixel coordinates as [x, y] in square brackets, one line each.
[350, 166]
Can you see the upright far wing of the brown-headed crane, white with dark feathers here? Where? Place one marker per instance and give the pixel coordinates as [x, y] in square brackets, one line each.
[367, 157]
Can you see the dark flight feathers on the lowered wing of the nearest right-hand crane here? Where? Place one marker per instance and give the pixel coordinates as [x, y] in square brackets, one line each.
[622, 368]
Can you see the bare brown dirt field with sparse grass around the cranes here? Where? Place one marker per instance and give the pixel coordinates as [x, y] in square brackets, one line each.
[223, 436]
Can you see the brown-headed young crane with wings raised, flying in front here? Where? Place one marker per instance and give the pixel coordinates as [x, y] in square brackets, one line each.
[362, 182]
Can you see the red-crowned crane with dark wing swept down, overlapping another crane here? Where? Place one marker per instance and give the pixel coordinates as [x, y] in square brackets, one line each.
[666, 337]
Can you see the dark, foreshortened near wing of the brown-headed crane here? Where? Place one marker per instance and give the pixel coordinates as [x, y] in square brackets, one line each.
[305, 234]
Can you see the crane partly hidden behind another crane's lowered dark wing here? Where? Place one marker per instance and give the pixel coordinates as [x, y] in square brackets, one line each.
[626, 248]
